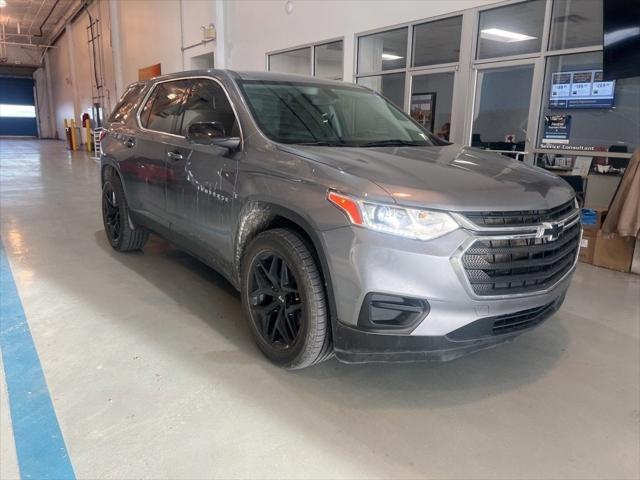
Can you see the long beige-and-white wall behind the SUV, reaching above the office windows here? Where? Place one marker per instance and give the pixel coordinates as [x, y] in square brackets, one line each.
[153, 32]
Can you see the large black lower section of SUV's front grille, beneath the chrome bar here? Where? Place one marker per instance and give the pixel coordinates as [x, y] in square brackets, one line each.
[516, 266]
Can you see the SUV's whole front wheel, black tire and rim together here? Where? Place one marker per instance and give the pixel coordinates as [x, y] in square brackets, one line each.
[284, 300]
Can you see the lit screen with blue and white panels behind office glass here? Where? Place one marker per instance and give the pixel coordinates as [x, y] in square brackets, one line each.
[583, 89]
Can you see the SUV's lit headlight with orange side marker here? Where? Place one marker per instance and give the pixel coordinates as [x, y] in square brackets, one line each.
[404, 222]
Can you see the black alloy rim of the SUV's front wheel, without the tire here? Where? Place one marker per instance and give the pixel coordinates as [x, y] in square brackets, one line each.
[275, 301]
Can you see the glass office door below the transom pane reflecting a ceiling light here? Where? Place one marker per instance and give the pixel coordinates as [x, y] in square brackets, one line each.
[502, 108]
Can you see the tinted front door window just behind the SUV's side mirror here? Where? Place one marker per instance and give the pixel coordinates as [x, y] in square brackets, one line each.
[208, 102]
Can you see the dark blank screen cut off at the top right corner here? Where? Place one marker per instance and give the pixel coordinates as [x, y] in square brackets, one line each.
[621, 28]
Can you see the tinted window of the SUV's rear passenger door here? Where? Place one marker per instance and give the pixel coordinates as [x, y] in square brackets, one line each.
[163, 106]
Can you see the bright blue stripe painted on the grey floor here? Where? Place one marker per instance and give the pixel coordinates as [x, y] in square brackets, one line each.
[42, 454]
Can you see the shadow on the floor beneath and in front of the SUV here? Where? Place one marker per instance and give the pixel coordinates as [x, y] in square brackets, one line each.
[410, 384]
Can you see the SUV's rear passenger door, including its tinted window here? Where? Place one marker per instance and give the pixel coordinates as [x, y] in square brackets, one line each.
[146, 173]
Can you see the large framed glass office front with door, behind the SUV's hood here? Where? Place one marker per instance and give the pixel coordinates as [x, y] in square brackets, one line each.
[494, 77]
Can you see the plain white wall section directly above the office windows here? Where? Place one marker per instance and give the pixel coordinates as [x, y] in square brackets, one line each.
[255, 27]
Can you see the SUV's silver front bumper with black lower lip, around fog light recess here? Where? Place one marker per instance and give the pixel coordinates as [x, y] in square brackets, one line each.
[458, 322]
